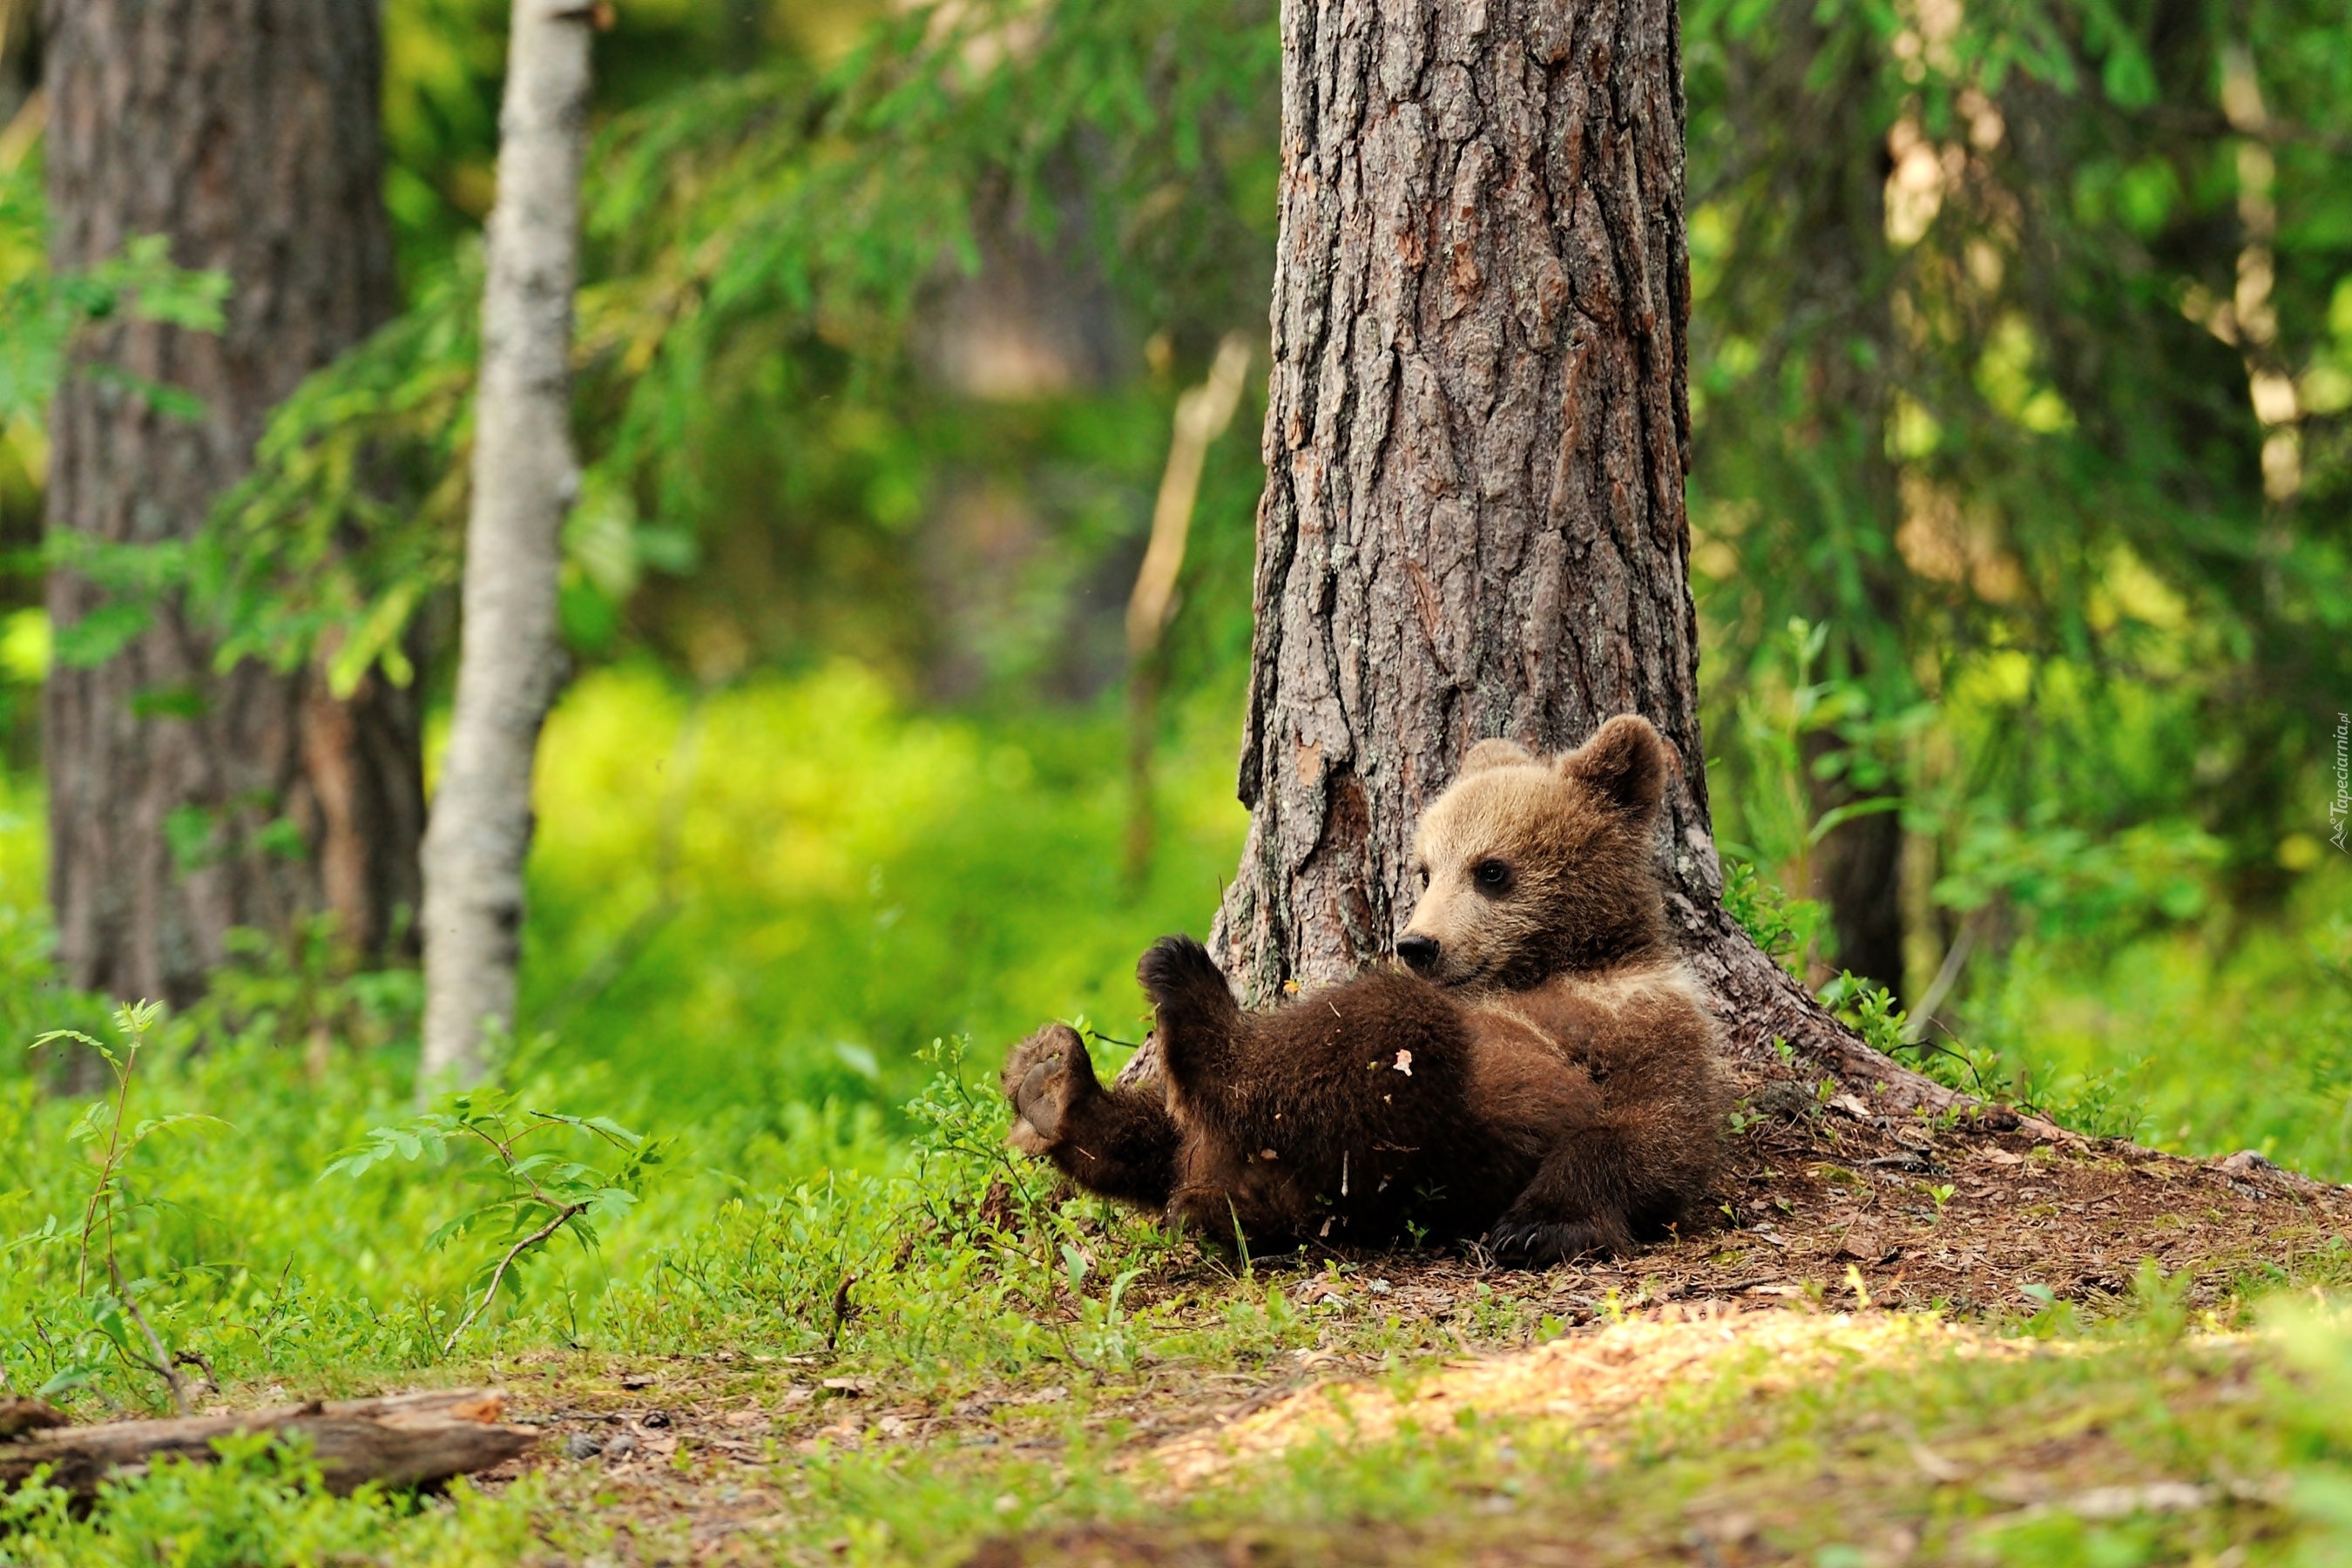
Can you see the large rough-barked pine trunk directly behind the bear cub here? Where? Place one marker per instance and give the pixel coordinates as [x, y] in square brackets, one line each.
[1476, 445]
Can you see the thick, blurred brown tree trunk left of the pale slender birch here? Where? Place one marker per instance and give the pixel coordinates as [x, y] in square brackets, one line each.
[185, 803]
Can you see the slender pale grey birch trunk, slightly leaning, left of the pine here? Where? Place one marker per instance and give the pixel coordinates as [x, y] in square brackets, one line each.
[523, 483]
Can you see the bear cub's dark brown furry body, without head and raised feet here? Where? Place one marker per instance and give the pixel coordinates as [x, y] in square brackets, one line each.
[1387, 1108]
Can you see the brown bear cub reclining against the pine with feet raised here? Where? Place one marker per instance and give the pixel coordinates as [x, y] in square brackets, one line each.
[1546, 1078]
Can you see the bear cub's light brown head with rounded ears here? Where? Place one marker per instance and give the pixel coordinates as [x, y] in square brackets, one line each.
[1532, 866]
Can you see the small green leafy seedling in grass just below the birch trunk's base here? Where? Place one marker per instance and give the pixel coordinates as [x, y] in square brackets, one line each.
[540, 1193]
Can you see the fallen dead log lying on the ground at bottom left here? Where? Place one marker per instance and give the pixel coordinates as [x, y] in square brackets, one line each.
[403, 1440]
